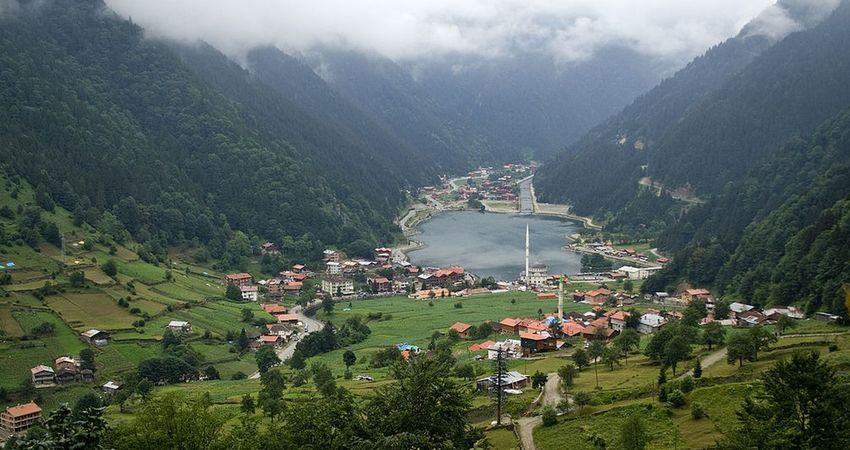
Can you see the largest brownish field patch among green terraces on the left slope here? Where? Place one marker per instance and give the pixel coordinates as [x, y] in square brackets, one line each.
[85, 311]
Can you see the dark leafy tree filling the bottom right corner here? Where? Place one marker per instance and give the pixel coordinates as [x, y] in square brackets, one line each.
[804, 406]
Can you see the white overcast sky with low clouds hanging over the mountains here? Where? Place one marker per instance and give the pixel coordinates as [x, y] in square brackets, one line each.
[407, 30]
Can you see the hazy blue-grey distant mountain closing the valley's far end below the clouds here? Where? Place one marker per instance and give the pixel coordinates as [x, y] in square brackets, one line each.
[536, 105]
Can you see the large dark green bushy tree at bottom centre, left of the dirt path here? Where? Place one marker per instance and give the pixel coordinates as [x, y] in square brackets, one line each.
[396, 416]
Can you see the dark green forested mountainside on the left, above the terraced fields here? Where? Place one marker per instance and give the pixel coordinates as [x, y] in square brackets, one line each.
[96, 114]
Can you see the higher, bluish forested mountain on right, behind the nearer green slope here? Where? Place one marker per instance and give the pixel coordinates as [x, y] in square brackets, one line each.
[689, 132]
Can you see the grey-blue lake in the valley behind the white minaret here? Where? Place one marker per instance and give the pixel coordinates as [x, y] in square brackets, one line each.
[493, 245]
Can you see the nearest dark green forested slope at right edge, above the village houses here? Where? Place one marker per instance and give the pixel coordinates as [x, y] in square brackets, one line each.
[780, 236]
